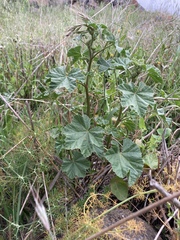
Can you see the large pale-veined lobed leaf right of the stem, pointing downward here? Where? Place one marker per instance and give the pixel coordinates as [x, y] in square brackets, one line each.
[139, 97]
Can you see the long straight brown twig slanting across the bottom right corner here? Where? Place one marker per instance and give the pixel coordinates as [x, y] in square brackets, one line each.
[133, 215]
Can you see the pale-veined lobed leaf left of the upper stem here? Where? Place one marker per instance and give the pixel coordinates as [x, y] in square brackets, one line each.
[60, 79]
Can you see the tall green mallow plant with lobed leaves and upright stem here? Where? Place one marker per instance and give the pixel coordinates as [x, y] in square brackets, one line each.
[108, 105]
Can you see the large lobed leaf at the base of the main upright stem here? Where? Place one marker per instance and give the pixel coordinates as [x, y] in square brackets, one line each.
[79, 135]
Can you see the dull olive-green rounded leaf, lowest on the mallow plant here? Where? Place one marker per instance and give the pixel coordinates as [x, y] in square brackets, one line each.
[119, 188]
